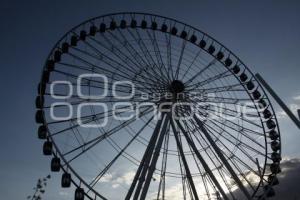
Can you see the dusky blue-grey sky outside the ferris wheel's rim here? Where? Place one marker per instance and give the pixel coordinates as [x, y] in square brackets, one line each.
[264, 34]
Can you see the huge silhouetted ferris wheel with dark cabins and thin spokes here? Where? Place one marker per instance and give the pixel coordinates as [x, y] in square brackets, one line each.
[188, 139]
